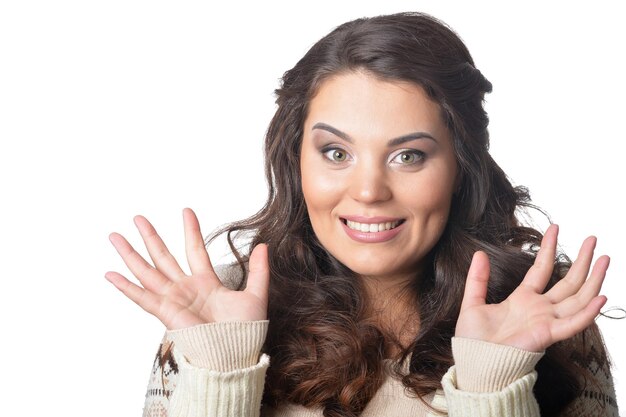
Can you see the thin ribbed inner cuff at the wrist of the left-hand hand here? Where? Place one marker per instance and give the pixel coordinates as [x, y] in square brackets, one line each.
[222, 347]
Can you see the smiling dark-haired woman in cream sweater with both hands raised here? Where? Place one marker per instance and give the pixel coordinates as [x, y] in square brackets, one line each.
[388, 259]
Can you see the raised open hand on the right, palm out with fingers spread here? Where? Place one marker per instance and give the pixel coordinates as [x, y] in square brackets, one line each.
[528, 319]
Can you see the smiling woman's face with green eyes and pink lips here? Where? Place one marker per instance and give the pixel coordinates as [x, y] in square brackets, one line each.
[378, 172]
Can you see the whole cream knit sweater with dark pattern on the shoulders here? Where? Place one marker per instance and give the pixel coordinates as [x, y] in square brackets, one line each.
[217, 370]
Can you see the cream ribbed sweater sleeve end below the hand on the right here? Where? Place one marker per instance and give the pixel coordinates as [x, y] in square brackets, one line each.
[490, 380]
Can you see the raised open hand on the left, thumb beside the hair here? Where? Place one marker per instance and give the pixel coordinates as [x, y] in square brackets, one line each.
[179, 300]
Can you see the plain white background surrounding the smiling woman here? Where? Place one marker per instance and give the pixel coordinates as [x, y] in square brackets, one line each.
[113, 108]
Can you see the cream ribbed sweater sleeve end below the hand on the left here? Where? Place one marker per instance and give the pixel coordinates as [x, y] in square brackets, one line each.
[220, 370]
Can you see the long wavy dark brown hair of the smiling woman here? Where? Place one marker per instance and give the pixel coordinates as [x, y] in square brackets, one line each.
[324, 351]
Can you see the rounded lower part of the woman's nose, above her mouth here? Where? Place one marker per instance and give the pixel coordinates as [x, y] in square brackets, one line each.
[369, 184]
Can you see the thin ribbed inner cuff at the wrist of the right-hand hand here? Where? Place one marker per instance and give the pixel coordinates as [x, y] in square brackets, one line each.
[489, 367]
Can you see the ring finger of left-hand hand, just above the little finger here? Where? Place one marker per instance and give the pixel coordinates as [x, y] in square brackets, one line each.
[149, 277]
